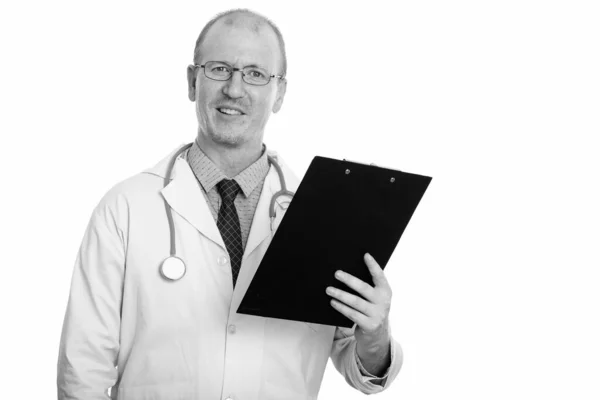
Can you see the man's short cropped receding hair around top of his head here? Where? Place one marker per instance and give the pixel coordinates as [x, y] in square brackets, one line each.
[248, 19]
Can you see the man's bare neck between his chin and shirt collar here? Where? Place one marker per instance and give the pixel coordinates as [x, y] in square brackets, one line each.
[230, 159]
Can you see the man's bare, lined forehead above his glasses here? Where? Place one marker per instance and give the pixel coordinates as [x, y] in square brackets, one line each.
[241, 43]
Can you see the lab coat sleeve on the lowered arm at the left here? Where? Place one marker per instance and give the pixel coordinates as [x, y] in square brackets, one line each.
[89, 343]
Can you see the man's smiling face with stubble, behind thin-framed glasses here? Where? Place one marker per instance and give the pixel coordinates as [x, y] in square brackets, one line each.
[233, 112]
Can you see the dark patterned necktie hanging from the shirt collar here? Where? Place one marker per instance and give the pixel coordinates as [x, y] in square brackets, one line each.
[228, 223]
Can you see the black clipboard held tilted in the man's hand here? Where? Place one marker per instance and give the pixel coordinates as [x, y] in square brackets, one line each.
[340, 211]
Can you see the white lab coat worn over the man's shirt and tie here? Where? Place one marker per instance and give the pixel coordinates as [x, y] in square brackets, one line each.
[183, 340]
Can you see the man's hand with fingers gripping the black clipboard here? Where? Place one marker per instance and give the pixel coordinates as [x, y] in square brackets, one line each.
[370, 312]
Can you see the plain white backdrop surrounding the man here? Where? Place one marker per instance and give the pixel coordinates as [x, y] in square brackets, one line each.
[496, 278]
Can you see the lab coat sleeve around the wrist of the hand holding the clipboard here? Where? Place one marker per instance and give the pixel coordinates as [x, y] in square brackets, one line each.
[346, 361]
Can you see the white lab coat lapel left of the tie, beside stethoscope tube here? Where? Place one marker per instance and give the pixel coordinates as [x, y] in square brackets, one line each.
[184, 196]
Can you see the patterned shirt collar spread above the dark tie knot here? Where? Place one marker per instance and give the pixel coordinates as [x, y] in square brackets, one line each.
[208, 174]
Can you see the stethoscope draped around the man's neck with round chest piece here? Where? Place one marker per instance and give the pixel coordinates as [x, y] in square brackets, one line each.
[173, 268]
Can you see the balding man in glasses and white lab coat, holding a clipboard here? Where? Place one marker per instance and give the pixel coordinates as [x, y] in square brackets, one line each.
[182, 339]
